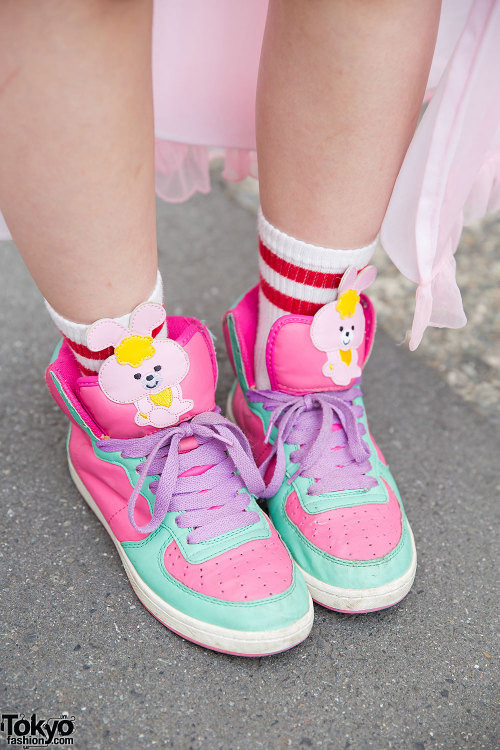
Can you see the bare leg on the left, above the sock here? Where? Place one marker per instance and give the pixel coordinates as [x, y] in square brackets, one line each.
[76, 149]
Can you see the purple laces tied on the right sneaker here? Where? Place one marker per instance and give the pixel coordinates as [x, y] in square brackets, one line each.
[326, 427]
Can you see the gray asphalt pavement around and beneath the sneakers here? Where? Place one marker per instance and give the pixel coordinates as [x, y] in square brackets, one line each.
[74, 637]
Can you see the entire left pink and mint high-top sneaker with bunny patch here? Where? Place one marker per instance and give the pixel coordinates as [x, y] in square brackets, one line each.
[172, 482]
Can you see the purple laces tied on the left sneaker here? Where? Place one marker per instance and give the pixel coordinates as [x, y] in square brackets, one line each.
[210, 503]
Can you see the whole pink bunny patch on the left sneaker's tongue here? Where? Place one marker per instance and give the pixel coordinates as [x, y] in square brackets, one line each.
[142, 371]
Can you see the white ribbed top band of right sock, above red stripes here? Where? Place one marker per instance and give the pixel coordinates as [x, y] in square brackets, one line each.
[305, 256]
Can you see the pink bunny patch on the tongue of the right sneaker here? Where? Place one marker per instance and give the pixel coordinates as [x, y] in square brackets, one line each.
[338, 328]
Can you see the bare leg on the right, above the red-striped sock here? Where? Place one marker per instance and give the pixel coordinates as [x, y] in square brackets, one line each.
[341, 84]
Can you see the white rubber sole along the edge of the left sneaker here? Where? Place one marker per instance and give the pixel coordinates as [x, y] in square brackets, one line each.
[241, 643]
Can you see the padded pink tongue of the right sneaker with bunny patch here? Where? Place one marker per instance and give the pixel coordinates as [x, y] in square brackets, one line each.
[307, 354]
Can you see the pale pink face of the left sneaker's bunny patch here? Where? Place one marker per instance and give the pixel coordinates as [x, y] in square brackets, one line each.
[126, 382]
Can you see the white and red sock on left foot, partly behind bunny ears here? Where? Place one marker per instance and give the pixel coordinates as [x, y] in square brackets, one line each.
[76, 333]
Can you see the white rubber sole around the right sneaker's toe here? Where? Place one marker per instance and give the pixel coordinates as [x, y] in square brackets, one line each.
[354, 601]
